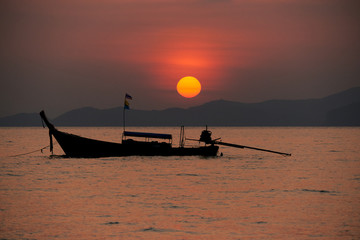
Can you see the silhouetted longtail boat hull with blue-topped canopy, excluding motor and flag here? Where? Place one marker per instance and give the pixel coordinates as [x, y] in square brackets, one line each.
[77, 146]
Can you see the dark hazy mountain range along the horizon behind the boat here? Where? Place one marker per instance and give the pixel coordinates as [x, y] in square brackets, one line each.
[341, 109]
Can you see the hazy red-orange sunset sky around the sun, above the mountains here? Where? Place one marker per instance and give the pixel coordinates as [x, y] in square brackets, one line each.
[66, 54]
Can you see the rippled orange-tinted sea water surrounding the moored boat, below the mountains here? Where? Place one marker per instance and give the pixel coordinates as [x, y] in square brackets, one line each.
[246, 194]
